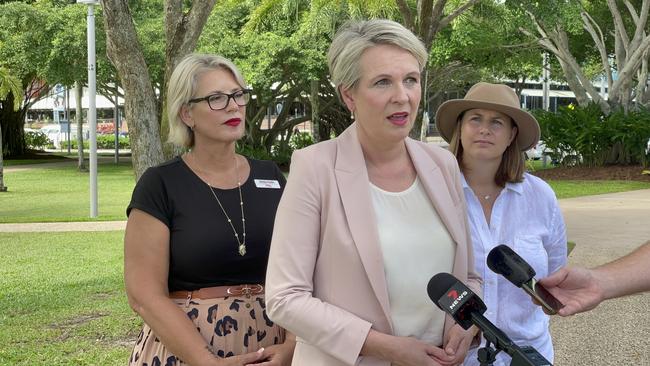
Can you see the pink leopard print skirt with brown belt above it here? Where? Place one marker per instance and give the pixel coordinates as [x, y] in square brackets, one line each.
[230, 326]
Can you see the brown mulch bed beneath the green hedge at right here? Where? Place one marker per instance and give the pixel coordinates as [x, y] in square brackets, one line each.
[612, 172]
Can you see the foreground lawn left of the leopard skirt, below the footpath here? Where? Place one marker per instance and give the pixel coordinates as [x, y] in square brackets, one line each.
[63, 300]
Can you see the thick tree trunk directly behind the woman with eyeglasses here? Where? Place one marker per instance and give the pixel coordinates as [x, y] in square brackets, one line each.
[140, 106]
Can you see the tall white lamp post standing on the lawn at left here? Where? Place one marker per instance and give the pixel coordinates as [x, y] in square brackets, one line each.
[92, 110]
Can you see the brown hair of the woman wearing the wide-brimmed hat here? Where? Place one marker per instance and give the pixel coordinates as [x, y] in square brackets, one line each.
[512, 166]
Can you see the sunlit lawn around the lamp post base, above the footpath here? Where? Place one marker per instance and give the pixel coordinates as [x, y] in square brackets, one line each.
[62, 194]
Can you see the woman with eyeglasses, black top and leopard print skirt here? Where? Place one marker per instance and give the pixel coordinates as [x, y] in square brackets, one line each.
[199, 230]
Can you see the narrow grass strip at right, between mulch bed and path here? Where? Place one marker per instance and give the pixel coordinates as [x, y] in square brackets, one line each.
[578, 188]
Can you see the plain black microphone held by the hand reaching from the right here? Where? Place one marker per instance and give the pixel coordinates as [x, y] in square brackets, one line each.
[504, 261]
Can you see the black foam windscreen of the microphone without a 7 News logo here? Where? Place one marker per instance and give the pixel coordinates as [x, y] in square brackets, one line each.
[504, 261]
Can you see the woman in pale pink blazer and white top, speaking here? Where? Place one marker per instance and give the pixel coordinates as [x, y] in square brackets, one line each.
[368, 218]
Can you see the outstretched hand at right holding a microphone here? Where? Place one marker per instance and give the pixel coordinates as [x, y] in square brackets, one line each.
[577, 288]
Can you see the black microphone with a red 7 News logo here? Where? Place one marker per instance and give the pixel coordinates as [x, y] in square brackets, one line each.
[457, 300]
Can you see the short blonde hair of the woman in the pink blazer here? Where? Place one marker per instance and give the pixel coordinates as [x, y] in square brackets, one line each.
[355, 37]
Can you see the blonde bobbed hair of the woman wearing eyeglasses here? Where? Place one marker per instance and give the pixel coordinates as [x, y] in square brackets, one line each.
[182, 86]
